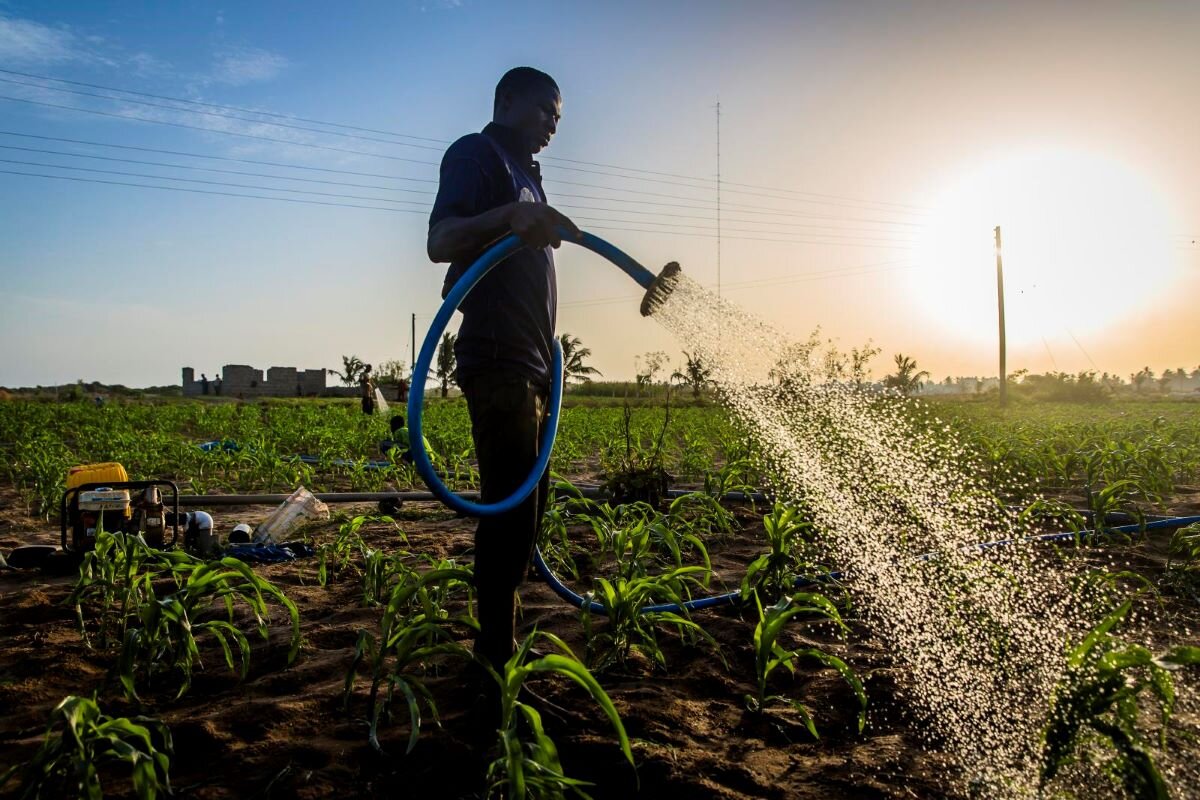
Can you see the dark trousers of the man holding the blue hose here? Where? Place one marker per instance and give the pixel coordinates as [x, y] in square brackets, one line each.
[507, 414]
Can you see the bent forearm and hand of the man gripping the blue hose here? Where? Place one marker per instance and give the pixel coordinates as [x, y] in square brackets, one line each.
[538, 225]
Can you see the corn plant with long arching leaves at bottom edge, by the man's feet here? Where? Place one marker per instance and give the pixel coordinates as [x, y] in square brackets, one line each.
[529, 765]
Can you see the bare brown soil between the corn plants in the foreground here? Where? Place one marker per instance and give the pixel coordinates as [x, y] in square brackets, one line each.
[283, 733]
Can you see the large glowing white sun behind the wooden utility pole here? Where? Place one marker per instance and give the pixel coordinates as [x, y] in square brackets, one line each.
[1087, 242]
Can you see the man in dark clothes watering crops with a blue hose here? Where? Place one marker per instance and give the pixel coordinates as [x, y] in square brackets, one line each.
[490, 188]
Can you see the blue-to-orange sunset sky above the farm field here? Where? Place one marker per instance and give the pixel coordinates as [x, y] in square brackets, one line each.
[867, 152]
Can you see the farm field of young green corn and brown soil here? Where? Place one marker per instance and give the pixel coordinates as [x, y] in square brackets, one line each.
[699, 721]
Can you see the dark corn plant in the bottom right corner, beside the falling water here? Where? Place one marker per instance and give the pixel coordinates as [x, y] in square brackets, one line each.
[1101, 699]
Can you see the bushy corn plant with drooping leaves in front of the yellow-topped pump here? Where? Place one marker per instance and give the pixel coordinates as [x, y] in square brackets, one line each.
[166, 639]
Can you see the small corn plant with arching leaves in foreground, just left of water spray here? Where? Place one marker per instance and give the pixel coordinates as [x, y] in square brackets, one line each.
[770, 654]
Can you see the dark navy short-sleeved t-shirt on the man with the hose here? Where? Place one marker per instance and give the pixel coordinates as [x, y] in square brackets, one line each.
[508, 320]
